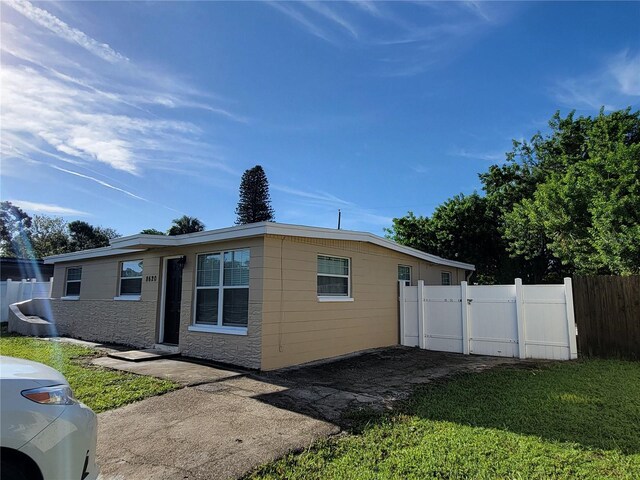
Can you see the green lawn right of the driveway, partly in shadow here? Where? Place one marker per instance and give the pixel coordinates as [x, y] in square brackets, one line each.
[560, 420]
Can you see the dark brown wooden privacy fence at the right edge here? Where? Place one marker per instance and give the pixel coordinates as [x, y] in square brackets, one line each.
[607, 310]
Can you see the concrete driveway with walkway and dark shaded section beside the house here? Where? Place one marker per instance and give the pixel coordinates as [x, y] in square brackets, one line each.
[225, 423]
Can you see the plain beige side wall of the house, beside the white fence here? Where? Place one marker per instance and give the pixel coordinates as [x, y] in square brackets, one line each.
[297, 328]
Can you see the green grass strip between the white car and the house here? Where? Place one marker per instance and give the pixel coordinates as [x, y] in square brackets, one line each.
[99, 388]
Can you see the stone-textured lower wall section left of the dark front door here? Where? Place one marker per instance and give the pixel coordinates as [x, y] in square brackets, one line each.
[124, 322]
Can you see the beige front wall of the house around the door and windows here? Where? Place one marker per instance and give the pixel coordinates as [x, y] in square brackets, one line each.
[97, 316]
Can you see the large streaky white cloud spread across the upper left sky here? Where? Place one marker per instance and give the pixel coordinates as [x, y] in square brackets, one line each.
[98, 109]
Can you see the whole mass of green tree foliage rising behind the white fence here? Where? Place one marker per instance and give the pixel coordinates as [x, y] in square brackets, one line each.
[564, 202]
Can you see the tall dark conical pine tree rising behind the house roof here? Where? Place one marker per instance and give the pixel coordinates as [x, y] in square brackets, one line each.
[255, 203]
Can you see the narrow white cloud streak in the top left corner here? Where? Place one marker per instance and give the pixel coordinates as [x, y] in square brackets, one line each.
[65, 32]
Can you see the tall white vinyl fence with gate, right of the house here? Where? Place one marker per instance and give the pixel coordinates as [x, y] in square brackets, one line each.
[525, 321]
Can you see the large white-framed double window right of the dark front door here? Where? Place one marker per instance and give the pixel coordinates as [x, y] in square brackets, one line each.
[222, 289]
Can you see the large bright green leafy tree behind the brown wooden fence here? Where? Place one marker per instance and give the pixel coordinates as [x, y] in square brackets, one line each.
[586, 209]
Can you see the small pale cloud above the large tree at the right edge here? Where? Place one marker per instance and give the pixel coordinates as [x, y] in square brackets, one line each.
[615, 84]
